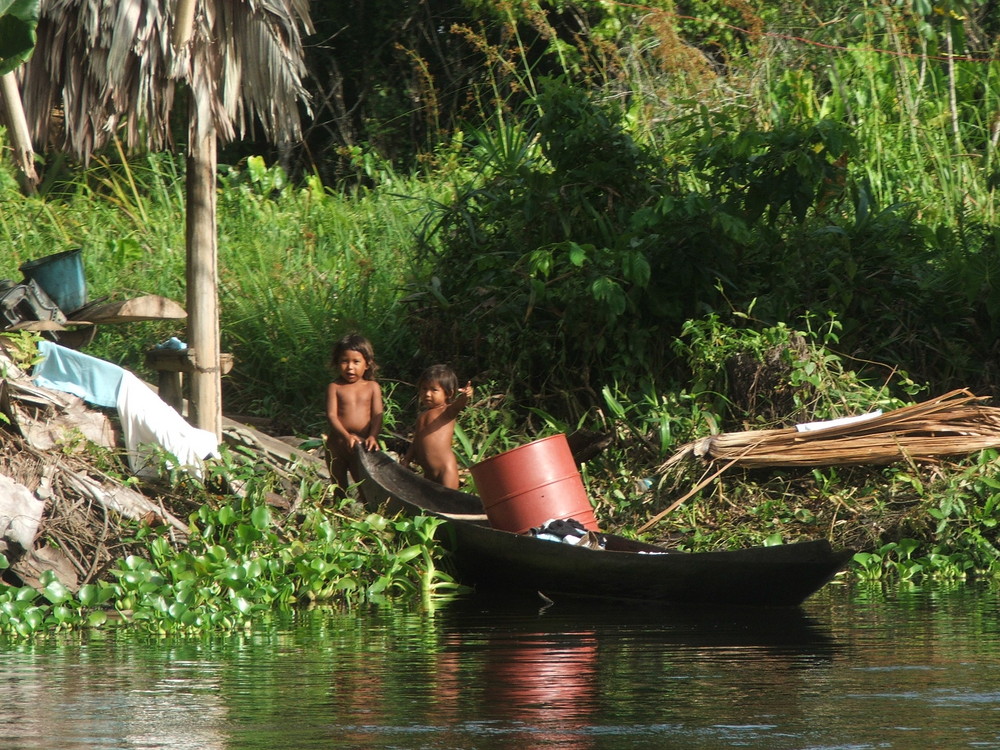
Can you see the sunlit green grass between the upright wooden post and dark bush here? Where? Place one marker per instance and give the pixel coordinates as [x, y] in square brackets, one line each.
[299, 269]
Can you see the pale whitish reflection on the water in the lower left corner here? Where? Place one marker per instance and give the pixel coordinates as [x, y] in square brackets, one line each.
[86, 690]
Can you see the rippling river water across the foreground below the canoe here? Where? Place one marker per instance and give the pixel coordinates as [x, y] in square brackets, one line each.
[853, 668]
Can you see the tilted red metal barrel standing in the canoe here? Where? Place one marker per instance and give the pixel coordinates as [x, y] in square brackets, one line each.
[531, 484]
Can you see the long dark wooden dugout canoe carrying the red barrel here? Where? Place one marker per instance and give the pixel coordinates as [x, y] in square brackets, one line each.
[489, 559]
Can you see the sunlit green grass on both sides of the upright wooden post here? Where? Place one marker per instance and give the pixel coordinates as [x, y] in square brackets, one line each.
[299, 267]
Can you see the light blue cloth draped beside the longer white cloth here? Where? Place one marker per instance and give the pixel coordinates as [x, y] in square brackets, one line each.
[94, 380]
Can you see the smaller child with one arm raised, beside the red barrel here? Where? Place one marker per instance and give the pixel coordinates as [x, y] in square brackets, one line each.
[439, 408]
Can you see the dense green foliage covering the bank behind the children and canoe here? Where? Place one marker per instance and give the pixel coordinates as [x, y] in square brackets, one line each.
[651, 221]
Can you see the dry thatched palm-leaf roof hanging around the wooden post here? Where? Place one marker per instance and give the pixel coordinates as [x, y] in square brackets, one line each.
[111, 67]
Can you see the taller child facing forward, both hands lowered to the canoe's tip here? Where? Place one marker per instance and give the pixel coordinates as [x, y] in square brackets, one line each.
[353, 405]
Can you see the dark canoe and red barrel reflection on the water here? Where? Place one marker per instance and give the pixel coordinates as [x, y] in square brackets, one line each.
[553, 674]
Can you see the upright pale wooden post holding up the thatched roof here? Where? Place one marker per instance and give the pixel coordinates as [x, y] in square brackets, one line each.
[202, 269]
